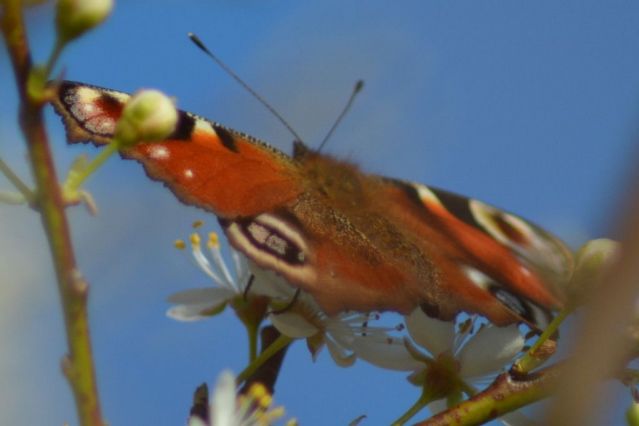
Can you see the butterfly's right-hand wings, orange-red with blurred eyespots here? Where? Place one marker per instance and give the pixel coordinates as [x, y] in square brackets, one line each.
[498, 264]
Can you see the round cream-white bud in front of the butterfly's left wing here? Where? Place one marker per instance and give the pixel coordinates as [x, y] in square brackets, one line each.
[148, 116]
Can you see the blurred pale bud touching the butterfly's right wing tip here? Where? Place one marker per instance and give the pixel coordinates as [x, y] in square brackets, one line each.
[592, 260]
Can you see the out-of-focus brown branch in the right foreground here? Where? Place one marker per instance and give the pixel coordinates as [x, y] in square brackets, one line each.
[602, 347]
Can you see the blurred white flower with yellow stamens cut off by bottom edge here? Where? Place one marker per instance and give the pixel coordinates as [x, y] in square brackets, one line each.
[229, 409]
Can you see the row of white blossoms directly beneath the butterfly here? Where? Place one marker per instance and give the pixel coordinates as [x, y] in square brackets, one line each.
[462, 354]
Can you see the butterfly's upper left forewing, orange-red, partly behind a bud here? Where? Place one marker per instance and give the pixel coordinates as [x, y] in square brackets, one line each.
[203, 163]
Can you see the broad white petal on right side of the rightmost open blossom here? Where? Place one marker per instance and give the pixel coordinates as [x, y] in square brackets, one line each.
[489, 350]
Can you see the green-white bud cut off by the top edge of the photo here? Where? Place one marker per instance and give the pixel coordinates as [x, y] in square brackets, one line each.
[75, 17]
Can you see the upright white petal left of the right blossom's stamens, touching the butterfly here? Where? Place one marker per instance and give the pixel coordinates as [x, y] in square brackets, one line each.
[435, 335]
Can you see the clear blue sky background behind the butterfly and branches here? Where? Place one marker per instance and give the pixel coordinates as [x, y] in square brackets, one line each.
[531, 106]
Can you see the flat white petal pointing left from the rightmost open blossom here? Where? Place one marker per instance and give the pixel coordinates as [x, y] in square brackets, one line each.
[389, 353]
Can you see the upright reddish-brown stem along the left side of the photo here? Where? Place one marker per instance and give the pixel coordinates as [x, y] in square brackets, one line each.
[73, 290]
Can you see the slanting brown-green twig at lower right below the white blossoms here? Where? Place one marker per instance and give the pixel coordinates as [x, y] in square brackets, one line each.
[504, 395]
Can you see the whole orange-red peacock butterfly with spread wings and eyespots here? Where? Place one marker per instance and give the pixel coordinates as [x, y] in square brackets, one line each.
[354, 241]
